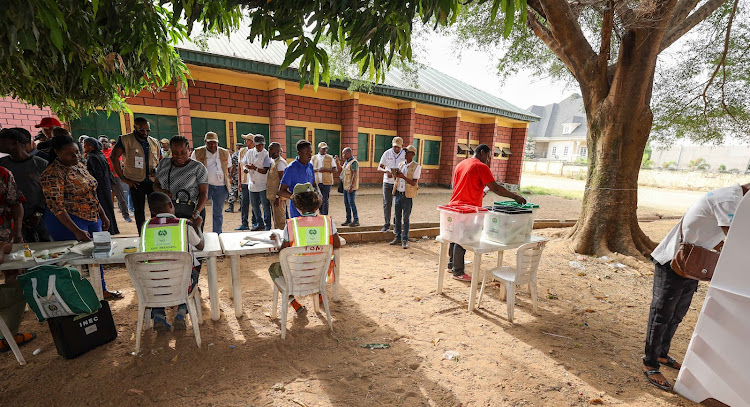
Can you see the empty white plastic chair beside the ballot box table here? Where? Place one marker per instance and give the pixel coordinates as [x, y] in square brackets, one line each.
[527, 263]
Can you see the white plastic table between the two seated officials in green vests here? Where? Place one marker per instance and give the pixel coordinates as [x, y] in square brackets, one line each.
[231, 243]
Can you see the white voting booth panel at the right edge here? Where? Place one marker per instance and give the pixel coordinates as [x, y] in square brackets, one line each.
[717, 363]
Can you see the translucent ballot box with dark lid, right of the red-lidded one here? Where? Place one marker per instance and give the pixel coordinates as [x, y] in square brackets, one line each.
[506, 225]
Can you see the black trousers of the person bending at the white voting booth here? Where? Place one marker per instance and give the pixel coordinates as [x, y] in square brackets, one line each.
[671, 301]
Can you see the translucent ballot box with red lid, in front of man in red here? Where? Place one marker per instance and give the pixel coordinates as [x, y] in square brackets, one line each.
[461, 223]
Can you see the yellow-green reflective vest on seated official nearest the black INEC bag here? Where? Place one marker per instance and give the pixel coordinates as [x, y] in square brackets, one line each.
[164, 235]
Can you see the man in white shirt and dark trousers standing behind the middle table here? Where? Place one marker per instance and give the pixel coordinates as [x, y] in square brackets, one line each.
[256, 163]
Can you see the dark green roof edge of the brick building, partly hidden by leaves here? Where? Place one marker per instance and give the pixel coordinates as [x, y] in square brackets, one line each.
[262, 68]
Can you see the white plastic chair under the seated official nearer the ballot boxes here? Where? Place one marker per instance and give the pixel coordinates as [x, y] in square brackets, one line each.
[304, 273]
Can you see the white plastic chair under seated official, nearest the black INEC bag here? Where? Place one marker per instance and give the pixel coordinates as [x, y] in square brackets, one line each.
[161, 279]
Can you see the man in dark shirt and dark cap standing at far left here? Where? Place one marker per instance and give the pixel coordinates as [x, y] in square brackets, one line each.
[26, 169]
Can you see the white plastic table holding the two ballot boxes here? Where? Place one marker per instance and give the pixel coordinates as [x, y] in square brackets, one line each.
[479, 248]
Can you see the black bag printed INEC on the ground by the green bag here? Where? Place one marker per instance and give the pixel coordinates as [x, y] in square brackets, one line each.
[78, 334]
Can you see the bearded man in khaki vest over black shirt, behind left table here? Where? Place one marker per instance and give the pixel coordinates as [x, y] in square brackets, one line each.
[141, 154]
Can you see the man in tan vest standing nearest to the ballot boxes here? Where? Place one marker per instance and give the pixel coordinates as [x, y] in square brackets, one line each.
[404, 190]
